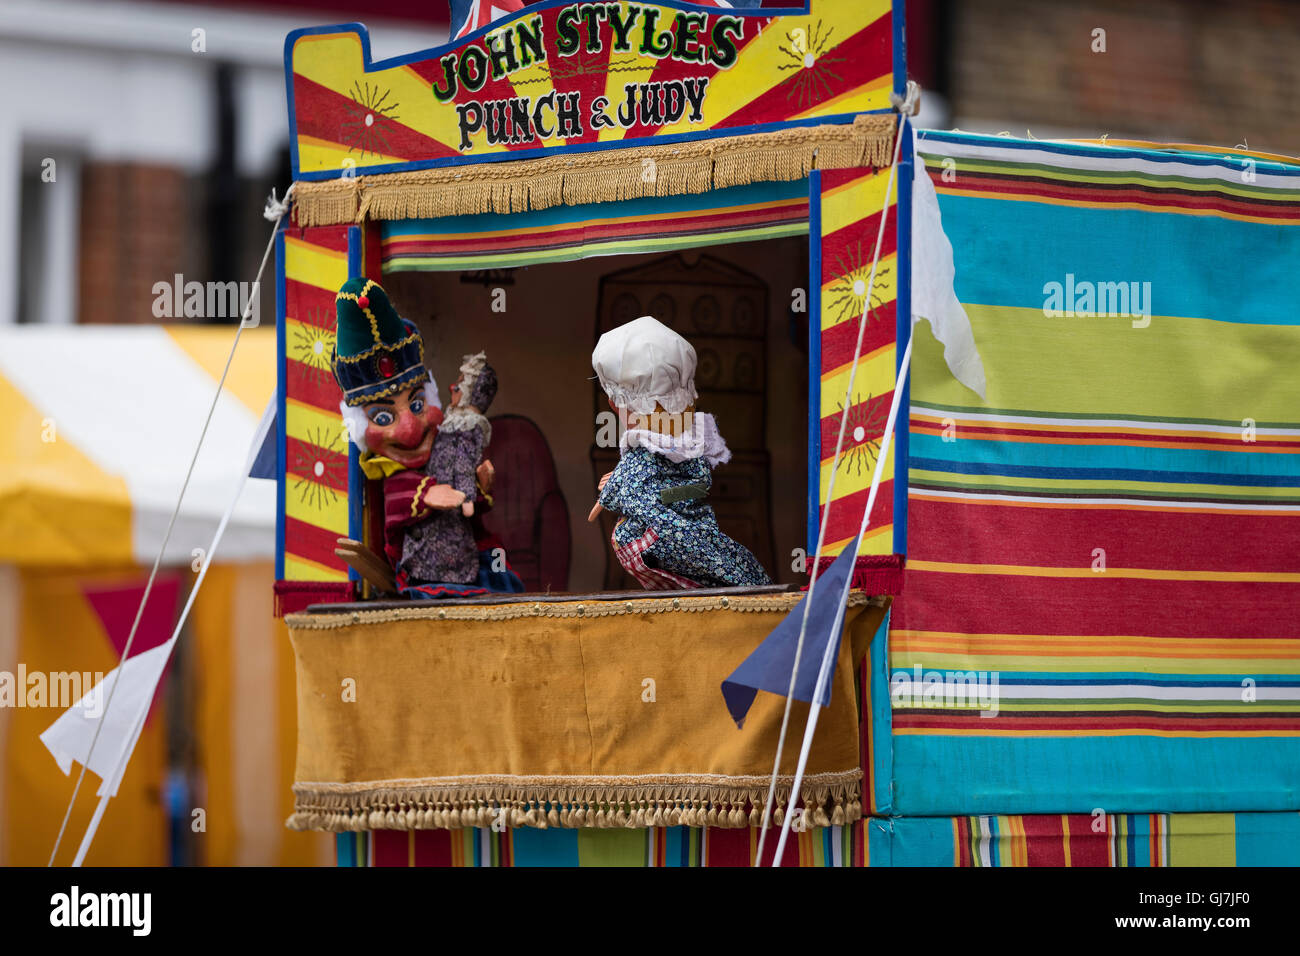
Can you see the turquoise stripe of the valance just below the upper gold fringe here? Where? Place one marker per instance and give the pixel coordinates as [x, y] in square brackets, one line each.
[648, 209]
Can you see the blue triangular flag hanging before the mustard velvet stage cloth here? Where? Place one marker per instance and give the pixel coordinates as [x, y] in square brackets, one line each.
[769, 667]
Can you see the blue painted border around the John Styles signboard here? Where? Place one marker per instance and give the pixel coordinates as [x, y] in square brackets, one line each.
[435, 53]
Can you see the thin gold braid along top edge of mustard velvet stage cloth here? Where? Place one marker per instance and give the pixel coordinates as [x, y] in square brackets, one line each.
[430, 611]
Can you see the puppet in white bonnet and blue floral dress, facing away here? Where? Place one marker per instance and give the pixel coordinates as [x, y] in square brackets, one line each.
[669, 537]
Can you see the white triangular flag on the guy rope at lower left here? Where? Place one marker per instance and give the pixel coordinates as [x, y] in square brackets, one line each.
[70, 738]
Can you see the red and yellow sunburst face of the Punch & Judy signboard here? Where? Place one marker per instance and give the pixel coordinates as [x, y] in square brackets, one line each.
[835, 60]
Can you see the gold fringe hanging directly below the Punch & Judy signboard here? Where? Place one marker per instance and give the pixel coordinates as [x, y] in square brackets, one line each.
[599, 178]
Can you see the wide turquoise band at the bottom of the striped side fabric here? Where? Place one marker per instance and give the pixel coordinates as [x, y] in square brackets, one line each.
[950, 776]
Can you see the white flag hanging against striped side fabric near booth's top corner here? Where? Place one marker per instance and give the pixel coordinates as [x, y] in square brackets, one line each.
[933, 275]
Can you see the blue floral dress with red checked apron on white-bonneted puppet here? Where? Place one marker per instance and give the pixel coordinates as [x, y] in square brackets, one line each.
[675, 543]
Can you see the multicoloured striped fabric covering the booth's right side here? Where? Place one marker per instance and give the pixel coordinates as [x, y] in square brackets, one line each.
[1104, 557]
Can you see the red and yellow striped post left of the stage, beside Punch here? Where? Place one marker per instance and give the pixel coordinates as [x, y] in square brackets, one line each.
[315, 444]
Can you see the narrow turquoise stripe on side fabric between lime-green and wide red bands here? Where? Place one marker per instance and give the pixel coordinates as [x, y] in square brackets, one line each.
[1180, 462]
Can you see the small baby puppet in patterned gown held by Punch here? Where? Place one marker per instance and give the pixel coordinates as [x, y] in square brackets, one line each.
[444, 550]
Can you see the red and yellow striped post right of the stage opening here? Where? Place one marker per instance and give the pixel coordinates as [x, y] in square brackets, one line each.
[852, 202]
